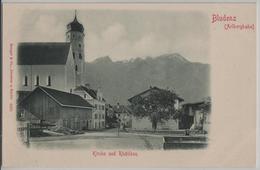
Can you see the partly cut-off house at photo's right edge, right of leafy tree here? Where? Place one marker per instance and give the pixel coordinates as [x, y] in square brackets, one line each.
[196, 115]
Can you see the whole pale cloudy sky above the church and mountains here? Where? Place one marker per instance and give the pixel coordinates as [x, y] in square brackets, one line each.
[123, 35]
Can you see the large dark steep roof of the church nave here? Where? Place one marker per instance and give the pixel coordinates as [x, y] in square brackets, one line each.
[43, 53]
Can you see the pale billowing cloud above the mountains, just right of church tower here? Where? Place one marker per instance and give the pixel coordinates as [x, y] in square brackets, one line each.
[114, 41]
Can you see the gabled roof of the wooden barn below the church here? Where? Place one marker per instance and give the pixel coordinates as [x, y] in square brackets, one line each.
[64, 99]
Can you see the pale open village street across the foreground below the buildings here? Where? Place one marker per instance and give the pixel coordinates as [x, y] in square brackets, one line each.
[108, 139]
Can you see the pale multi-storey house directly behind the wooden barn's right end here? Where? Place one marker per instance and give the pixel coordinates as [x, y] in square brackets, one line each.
[95, 98]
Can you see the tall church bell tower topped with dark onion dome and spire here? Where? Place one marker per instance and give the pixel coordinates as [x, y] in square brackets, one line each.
[75, 35]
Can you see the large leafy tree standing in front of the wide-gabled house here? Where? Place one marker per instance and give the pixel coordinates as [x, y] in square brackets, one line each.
[158, 106]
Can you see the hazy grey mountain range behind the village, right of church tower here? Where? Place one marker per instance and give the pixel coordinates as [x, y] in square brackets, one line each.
[121, 80]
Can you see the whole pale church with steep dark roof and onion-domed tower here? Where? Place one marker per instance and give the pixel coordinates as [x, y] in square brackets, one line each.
[56, 65]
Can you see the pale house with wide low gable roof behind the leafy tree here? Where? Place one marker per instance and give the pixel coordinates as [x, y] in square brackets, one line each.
[144, 123]
